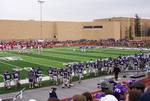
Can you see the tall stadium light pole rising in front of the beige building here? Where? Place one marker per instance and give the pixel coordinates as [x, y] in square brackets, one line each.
[41, 25]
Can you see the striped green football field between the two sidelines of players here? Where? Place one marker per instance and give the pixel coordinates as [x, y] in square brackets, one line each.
[55, 57]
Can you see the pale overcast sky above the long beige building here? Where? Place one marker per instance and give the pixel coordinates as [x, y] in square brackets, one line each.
[73, 10]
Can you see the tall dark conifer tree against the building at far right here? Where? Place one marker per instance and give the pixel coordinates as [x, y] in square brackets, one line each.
[137, 26]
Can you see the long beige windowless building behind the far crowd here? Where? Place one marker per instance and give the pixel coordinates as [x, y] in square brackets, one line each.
[117, 28]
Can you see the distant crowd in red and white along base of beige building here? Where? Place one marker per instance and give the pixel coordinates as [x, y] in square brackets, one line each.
[15, 44]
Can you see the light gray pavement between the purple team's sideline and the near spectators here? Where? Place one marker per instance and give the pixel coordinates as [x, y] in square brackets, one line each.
[41, 94]
